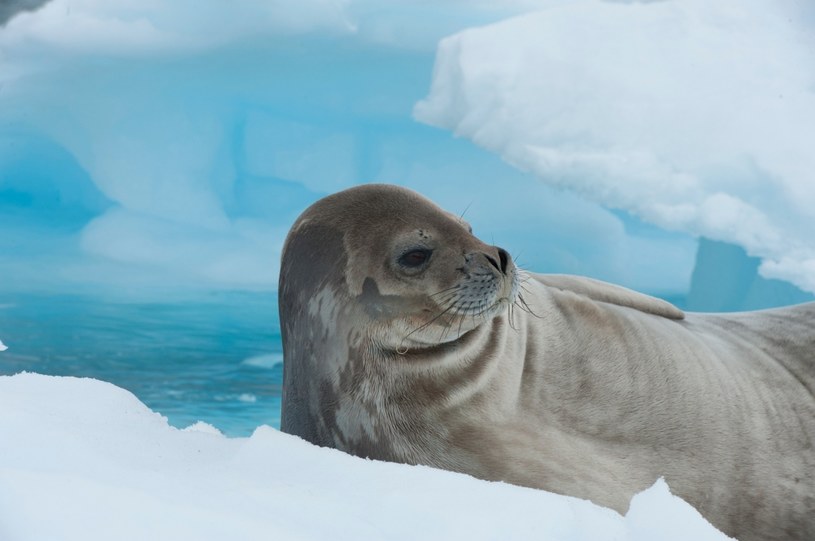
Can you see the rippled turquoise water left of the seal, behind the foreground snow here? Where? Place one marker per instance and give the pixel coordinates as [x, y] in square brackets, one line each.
[216, 358]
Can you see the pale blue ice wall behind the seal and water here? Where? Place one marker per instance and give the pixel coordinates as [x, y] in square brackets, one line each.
[167, 145]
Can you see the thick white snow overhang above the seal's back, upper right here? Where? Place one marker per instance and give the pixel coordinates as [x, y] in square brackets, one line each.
[697, 116]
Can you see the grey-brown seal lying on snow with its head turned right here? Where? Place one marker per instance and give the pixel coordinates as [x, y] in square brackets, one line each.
[408, 339]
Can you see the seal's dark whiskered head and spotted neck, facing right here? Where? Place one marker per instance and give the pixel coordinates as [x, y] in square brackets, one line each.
[373, 275]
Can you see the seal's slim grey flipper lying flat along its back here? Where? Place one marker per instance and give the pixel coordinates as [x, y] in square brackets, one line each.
[610, 293]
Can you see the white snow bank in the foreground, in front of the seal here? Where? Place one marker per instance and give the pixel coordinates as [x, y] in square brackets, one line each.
[83, 459]
